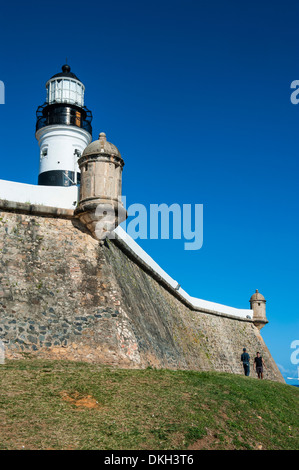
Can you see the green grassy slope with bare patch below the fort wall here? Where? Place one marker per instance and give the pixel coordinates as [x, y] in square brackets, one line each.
[67, 405]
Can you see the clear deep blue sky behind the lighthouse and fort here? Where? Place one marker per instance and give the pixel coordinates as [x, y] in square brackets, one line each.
[196, 95]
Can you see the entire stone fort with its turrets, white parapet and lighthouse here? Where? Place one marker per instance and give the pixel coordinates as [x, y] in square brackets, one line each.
[68, 293]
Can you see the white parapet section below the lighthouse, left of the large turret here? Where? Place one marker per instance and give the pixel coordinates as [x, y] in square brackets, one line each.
[51, 196]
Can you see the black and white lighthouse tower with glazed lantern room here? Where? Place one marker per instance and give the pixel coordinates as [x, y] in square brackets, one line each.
[63, 130]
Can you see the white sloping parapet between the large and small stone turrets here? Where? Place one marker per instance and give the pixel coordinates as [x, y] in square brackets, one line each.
[199, 304]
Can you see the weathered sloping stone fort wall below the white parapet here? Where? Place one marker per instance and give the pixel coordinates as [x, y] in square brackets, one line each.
[65, 295]
